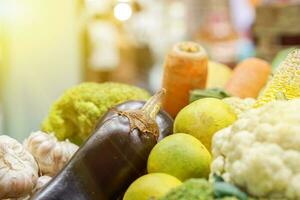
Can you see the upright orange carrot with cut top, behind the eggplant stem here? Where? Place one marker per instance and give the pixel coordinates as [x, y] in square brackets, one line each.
[185, 69]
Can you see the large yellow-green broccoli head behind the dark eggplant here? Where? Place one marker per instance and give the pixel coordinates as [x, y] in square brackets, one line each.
[74, 115]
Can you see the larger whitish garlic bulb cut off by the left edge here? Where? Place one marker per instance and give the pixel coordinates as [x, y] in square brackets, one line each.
[18, 169]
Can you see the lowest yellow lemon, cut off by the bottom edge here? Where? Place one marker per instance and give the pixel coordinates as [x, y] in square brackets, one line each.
[151, 186]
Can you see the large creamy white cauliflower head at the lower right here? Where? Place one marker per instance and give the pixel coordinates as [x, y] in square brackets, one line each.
[260, 152]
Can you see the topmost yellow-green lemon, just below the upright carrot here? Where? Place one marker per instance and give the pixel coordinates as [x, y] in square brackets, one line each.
[203, 118]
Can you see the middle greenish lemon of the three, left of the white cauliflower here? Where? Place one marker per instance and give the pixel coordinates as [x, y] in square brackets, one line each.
[180, 155]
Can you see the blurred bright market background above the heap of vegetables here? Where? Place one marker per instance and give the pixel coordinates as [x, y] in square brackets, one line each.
[47, 46]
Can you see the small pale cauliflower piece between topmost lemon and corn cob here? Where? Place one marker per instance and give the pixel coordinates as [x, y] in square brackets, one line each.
[239, 105]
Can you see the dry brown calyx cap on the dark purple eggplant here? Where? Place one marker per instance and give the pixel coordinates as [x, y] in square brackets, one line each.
[138, 120]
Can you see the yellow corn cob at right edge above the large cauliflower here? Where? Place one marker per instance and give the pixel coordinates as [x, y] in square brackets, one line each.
[285, 84]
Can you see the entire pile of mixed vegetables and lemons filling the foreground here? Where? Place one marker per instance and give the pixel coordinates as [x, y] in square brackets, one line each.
[238, 138]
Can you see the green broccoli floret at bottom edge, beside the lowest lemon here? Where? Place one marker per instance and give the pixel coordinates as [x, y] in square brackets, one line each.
[193, 189]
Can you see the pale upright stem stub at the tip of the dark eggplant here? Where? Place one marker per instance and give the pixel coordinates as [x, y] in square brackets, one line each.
[152, 106]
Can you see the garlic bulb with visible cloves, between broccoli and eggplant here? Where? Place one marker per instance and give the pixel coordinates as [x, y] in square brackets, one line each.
[50, 154]
